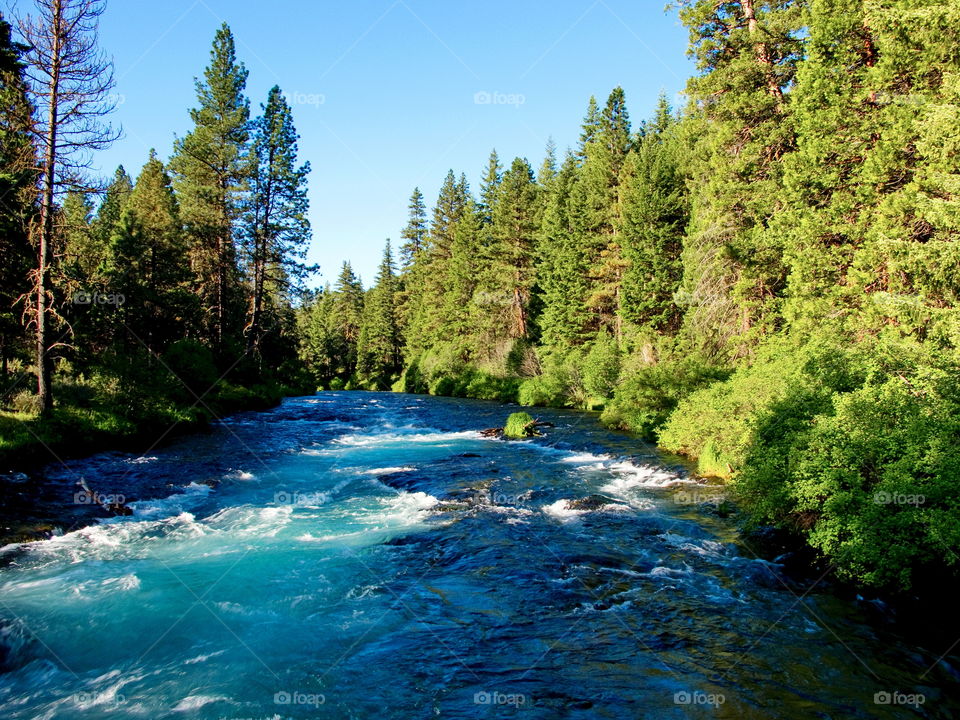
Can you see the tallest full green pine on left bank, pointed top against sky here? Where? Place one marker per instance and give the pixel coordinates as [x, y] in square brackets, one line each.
[210, 177]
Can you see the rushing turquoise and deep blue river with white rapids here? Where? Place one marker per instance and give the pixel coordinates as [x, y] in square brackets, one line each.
[370, 555]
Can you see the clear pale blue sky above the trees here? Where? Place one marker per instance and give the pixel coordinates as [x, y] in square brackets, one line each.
[385, 92]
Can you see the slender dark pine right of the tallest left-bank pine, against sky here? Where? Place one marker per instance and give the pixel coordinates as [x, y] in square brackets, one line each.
[277, 233]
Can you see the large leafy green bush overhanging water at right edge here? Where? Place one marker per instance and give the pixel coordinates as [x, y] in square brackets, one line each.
[871, 480]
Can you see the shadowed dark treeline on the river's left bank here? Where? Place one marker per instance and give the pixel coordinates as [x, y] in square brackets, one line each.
[160, 298]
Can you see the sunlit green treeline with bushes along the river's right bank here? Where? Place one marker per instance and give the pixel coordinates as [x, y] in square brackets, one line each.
[766, 281]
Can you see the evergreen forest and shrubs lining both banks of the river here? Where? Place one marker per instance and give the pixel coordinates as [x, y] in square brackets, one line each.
[764, 280]
